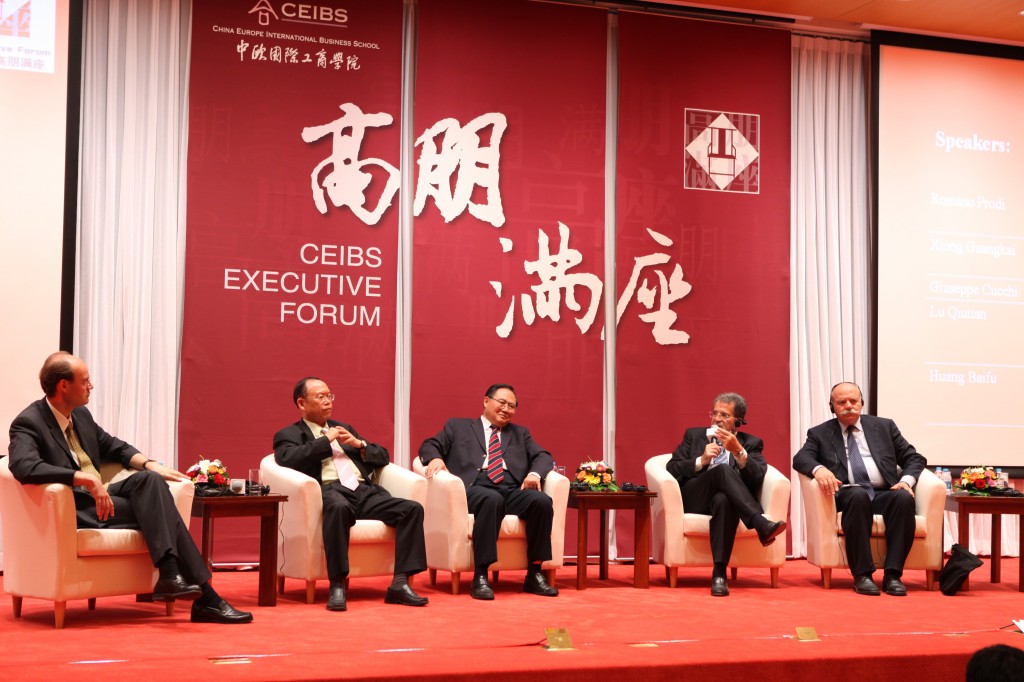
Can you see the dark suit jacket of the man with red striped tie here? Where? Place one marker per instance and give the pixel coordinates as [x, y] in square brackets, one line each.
[462, 445]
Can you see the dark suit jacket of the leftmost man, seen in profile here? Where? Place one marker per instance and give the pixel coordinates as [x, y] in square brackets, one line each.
[39, 452]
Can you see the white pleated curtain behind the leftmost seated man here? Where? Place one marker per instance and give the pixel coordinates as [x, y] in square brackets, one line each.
[132, 227]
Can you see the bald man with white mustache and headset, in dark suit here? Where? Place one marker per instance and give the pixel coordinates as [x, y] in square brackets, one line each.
[856, 457]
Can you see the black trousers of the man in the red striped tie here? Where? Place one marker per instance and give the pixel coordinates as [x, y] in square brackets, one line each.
[490, 503]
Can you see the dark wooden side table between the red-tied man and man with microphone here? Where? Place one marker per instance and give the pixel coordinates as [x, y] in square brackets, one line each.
[584, 502]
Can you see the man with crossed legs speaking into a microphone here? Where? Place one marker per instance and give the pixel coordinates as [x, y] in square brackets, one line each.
[720, 473]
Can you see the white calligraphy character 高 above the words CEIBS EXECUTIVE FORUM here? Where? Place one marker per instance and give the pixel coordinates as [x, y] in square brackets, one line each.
[348, 182]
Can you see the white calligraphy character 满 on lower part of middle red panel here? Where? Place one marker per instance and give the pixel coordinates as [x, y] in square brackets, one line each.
[556, 281]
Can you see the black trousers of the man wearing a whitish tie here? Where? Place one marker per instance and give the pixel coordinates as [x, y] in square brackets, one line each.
[344, 507]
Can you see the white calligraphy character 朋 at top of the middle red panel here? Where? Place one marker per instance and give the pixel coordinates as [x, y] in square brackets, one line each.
[460, 160]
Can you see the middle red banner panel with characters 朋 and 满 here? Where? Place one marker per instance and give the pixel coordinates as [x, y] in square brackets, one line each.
[508, 257]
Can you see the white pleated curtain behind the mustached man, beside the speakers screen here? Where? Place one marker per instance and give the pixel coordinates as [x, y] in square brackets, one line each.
[831, 241]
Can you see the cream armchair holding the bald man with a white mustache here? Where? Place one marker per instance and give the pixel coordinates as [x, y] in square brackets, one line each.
[827, 545]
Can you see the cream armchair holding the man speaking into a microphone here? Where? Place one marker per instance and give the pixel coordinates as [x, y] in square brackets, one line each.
[684, 539]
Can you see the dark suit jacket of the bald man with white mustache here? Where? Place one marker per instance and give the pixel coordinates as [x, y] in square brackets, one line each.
[827, 446]
